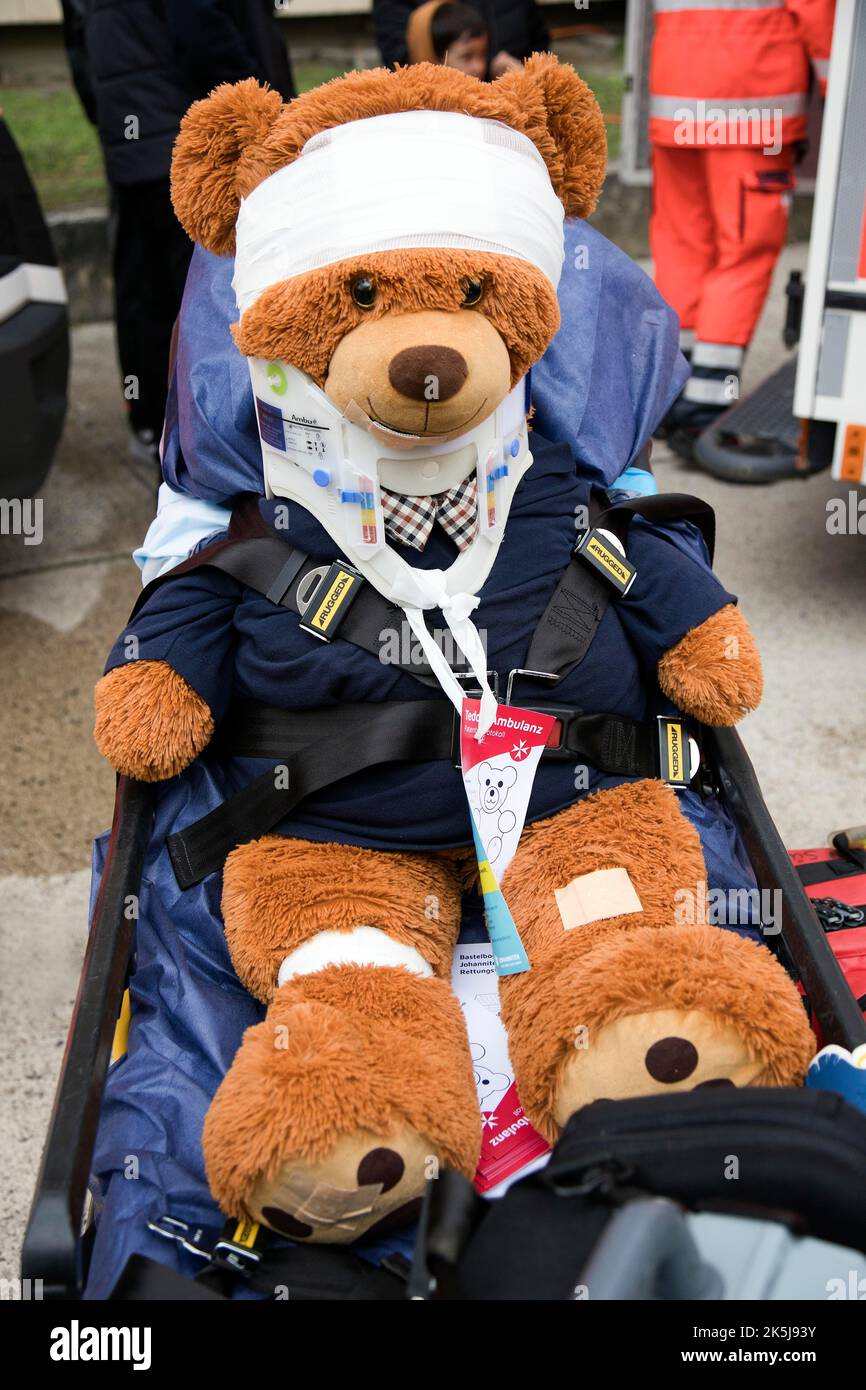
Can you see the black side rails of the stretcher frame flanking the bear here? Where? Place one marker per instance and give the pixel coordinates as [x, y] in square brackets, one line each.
[56, 1245]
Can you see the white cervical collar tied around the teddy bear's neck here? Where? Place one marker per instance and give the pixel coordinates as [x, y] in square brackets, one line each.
[336, 462]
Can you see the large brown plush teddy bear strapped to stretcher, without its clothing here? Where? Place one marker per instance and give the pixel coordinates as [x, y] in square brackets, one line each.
[359, 1084]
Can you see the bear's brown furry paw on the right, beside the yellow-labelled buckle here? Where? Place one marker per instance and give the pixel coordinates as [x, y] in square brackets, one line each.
[715, 672]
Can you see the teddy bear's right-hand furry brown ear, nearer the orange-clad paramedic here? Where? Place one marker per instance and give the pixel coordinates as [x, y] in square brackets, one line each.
[561, 115]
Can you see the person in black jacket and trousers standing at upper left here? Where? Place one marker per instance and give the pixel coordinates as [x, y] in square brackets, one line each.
[147, 62]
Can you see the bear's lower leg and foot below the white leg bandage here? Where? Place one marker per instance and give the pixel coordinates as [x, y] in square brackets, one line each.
[343, 1104]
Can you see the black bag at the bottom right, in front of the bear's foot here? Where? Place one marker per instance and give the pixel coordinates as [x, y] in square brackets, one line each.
[792, 1156]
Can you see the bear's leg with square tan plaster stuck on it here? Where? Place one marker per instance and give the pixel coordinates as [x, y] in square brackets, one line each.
[640, 1003]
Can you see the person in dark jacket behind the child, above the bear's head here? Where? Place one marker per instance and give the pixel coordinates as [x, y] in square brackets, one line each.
[516, 28]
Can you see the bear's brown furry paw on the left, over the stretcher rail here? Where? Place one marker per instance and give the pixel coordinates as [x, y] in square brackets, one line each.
[151, 723]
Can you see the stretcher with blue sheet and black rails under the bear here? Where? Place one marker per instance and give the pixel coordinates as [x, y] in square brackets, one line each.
[122, 1177]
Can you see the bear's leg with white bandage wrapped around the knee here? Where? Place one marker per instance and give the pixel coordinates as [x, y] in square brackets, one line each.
[359, 1084]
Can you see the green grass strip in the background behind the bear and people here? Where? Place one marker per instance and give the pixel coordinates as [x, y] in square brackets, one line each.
[63, 155]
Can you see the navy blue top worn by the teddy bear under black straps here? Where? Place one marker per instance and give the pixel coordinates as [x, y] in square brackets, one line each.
[234, 644]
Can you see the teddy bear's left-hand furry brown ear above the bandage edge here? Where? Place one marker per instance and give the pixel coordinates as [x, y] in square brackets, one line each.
[219, 159]
